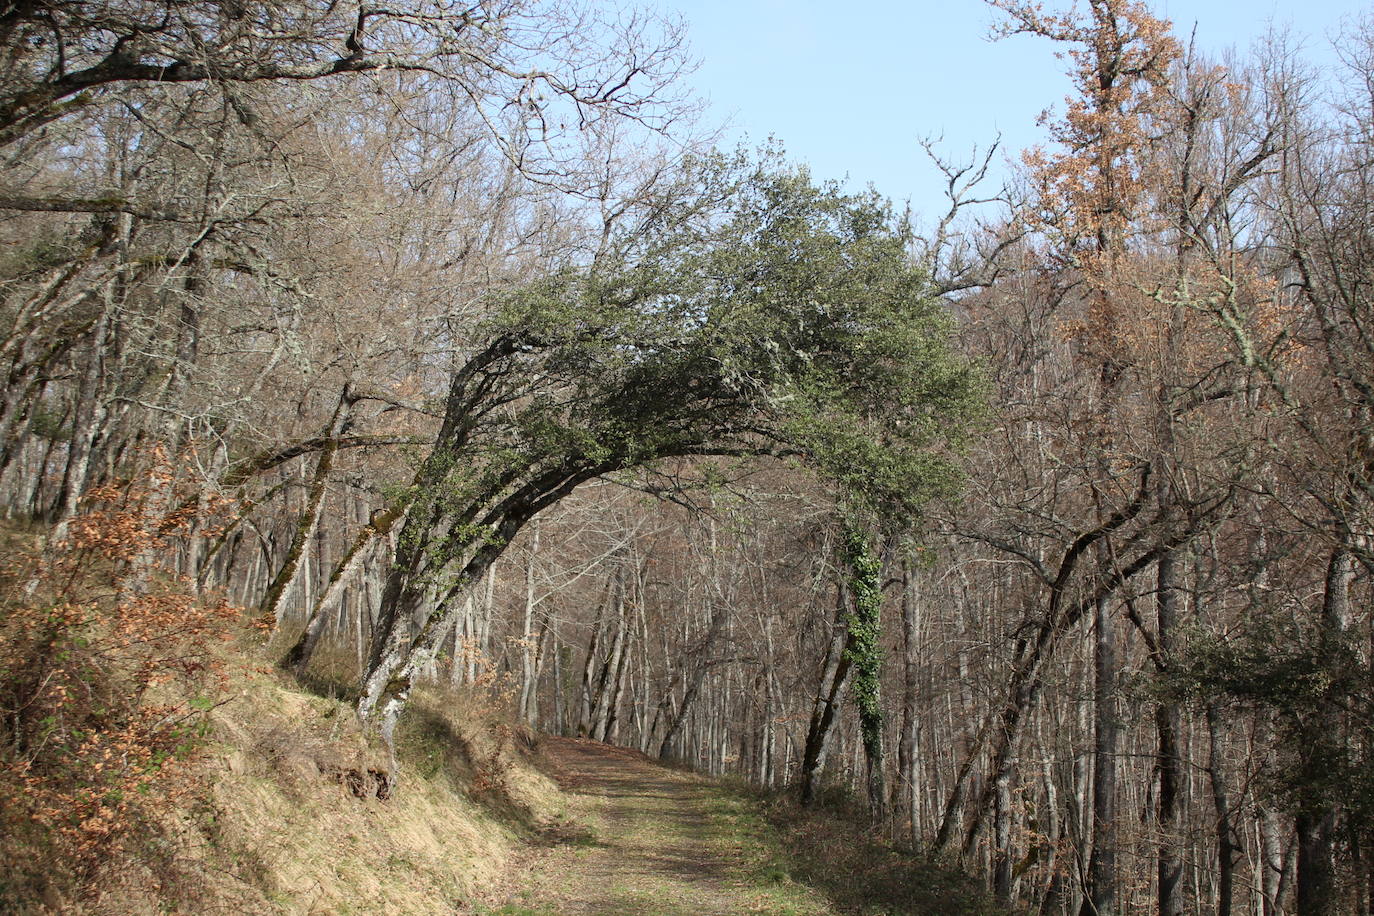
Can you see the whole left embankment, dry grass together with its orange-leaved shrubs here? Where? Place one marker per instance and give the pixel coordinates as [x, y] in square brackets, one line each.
[153, 767]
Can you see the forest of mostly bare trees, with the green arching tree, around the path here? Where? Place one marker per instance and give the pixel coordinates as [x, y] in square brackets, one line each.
[438, 347]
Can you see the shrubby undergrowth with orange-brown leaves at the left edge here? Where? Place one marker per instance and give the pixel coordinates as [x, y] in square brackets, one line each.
[108, 675]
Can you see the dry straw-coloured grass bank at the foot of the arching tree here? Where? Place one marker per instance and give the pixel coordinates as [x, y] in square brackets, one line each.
[303, 819]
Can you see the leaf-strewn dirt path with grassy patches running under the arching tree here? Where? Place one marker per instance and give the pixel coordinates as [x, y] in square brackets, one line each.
[653, 841]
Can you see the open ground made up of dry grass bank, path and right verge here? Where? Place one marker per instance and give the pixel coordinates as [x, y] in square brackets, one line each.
[291, 810]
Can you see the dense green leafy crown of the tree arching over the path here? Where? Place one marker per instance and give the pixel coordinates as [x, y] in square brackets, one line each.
[740, 312]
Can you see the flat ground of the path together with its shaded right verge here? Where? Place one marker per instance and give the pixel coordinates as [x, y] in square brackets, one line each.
[641, 838]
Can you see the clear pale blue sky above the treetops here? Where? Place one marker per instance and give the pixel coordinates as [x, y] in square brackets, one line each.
[850, 87]
